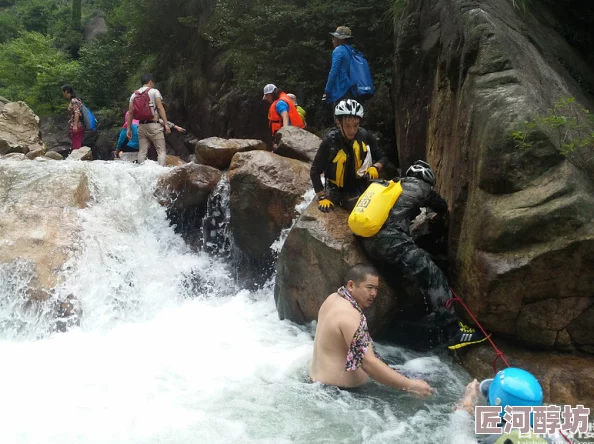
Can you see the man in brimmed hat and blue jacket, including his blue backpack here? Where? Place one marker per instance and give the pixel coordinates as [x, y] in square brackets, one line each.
[349, 75]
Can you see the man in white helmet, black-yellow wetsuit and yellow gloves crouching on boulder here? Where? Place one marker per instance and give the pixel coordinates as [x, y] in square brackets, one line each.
[348, 157]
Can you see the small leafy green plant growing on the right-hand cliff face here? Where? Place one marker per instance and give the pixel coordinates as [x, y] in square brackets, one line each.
[573, 126]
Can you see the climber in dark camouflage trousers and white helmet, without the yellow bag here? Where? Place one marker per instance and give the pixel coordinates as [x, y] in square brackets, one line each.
[394, 245]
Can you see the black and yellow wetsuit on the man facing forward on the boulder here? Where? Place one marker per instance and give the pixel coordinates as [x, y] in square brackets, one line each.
[339, 160]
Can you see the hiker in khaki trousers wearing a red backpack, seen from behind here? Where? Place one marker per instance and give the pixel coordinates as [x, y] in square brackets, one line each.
[146, 106]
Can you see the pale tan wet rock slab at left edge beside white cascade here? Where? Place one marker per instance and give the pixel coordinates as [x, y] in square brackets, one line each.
[40, 224]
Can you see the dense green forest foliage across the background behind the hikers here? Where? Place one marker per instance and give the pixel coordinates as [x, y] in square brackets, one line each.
[219, 52]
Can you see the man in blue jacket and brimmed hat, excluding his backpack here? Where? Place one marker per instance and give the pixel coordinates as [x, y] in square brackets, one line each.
[339, 85]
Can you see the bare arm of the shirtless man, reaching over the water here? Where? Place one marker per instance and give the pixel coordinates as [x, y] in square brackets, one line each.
[375, 368]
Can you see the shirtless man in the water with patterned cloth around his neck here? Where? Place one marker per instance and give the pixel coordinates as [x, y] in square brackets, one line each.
[343, 350]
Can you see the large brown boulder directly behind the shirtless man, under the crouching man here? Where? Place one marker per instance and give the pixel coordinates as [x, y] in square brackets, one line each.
[315, 256]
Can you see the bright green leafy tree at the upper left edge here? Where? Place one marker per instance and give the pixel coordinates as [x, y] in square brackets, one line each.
[33, 70]
